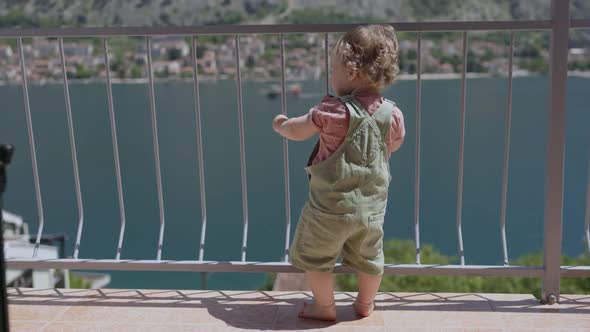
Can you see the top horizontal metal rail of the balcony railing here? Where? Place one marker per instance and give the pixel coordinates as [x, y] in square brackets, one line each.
[275, 29]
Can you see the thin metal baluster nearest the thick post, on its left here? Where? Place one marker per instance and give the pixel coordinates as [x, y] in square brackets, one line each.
[507, 152]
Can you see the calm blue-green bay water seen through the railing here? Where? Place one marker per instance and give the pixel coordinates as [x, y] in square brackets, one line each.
[484, 149]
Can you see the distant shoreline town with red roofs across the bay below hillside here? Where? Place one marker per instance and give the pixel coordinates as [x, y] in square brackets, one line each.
[260, 57]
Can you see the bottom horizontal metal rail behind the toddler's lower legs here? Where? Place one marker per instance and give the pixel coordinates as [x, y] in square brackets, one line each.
[239, 266]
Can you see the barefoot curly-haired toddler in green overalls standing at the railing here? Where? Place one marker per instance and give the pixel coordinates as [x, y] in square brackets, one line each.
[348, 170]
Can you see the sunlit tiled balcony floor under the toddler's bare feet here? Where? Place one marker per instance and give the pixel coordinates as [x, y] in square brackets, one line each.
[200, 310]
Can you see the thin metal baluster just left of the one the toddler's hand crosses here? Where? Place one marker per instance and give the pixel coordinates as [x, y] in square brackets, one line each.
[242, 149]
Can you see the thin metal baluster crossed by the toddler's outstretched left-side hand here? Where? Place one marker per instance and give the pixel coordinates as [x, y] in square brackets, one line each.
[285, 154]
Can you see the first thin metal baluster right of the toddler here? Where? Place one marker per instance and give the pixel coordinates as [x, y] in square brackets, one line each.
[417, 170]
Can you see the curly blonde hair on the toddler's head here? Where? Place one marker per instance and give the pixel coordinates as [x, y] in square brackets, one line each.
[372, 50]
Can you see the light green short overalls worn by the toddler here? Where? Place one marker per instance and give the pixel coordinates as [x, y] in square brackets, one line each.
[344, 213]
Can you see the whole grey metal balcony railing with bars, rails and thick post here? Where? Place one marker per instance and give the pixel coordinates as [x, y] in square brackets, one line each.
[550, 272]
